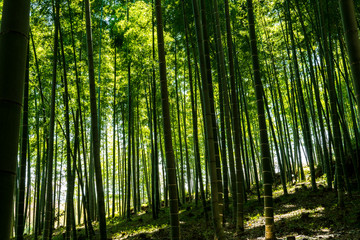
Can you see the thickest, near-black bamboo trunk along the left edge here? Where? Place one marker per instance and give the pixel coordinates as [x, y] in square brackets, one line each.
[13, 46]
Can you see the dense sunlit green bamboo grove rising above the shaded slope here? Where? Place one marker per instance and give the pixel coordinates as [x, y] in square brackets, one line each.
[310, 107]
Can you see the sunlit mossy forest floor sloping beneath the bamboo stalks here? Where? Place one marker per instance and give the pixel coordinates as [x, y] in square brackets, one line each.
[303, 214]
